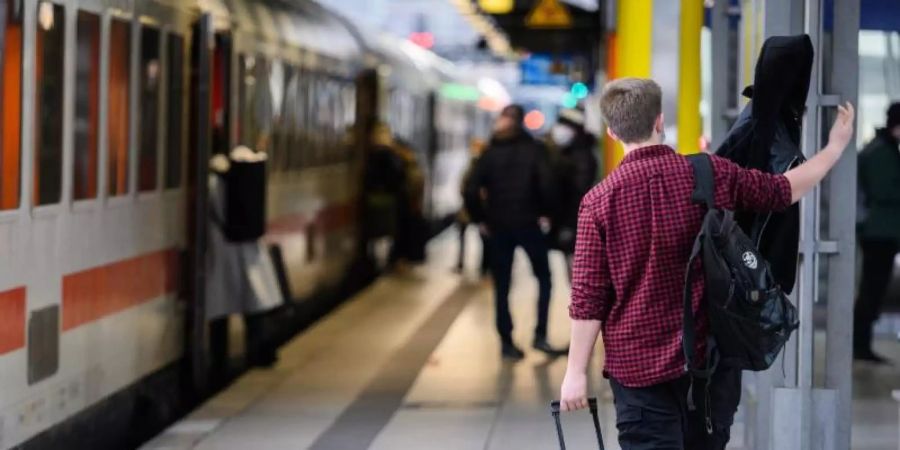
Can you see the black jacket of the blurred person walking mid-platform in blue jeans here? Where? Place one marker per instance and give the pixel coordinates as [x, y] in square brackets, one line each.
[511, 186]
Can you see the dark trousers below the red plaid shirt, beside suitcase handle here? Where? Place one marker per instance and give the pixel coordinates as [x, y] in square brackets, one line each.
[658, 417]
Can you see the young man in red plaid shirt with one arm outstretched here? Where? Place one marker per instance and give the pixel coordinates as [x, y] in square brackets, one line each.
[635, 233]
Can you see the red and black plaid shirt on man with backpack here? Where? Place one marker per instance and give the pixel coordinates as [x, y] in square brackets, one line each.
[635, 233]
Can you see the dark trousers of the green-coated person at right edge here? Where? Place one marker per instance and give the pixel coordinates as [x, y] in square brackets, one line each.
[878, 265]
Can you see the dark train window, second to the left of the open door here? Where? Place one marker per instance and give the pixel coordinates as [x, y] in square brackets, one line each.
[149, 107]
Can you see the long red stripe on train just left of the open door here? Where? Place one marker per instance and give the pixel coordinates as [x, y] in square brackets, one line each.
[92, 294]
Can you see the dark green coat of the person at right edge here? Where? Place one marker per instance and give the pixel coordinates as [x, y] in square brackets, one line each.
[879, 182]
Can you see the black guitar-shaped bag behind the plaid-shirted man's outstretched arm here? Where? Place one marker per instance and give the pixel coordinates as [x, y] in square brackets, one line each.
[766, 137]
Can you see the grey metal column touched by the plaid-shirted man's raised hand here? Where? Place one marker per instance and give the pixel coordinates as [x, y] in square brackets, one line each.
[811, 413]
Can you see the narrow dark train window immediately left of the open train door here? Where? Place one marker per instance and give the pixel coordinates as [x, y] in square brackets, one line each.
[174, 126]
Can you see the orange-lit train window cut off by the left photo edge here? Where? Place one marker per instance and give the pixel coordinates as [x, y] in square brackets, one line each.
[10, 144]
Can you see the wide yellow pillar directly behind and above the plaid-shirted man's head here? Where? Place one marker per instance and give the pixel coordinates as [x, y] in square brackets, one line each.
[633, 53]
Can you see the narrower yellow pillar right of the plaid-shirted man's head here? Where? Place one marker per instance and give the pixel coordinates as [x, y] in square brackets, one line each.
[689, 123]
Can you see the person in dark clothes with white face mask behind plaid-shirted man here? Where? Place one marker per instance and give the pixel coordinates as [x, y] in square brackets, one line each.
[575, 165]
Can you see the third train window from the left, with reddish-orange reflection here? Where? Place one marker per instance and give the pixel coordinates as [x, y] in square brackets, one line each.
[87, 110]
